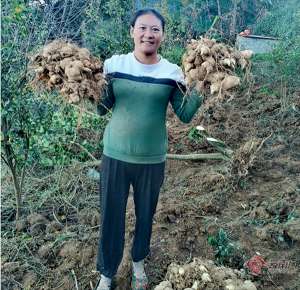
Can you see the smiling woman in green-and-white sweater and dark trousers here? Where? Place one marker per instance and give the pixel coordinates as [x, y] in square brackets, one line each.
[141, 84]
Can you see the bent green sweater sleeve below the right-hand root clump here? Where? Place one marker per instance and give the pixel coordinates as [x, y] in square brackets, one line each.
[185, 106]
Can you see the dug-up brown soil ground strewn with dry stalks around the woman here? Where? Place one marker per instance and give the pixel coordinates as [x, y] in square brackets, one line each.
[254, 199]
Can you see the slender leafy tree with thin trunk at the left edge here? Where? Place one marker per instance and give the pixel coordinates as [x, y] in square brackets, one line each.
[20, 113]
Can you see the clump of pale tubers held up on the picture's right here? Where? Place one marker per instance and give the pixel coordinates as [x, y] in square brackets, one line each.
[210, 66]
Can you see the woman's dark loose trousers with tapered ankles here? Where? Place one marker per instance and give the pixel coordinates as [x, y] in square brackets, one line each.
[115, 180]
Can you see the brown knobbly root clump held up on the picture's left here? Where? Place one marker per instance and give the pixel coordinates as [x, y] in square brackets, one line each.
[72, 70]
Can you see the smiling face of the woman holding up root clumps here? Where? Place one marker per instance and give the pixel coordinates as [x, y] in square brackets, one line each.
[147, 34]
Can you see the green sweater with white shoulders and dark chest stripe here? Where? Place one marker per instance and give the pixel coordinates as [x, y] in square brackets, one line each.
[139, 95]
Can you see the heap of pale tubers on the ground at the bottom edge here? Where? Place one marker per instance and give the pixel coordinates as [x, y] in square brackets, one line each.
[204, 274]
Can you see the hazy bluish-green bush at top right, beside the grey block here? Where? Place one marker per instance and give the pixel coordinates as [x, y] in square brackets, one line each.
[282, 65]
